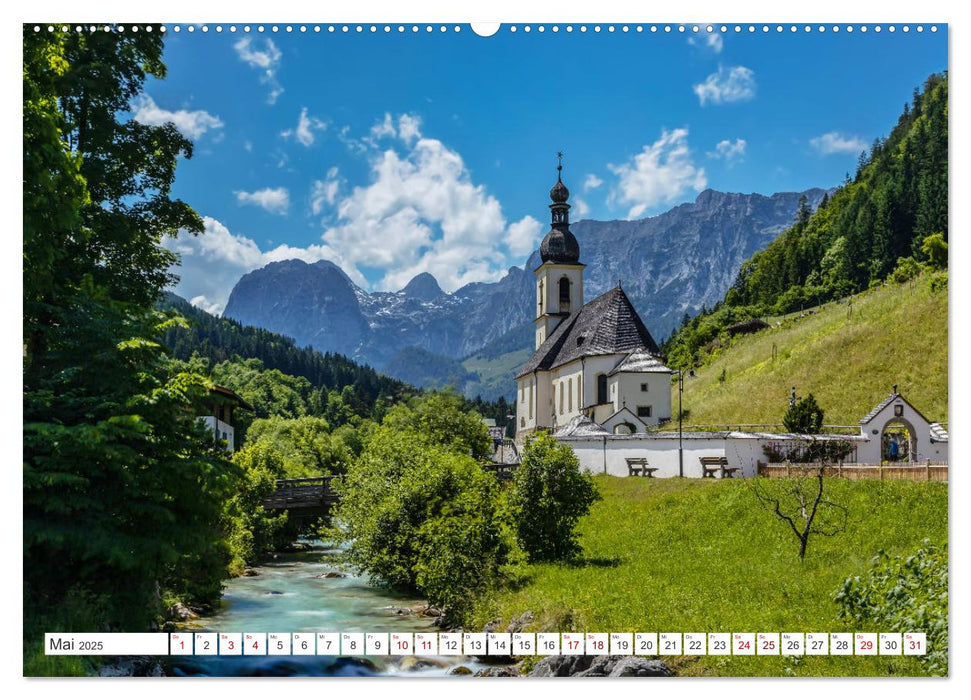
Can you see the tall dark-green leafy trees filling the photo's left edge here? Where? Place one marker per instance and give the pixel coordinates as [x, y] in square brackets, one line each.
[123, 491]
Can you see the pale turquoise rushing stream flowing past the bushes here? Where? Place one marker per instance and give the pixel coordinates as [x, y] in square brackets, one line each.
[292, 594]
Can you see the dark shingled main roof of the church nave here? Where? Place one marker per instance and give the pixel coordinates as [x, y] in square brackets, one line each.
[608, 325]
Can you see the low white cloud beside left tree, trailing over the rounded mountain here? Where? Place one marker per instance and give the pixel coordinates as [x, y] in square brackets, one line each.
[213, 261]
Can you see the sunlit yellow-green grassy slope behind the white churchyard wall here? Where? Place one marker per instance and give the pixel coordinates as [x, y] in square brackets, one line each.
[848, 361]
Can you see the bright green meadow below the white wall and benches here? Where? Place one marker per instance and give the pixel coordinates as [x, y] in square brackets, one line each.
[701, 556]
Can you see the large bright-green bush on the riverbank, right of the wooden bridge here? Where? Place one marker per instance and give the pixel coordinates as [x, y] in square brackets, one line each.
[419, 516]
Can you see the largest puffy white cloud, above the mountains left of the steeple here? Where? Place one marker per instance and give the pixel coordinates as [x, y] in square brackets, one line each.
[421, 212]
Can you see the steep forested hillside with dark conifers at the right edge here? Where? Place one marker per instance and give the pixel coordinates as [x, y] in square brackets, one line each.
[890, 219]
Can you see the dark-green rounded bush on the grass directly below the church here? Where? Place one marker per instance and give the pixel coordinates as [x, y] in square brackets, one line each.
[551, 495]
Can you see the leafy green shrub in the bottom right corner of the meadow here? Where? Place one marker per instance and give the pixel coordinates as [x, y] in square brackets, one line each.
[904, 594]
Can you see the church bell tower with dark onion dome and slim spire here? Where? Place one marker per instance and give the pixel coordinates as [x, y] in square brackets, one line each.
[559, 279]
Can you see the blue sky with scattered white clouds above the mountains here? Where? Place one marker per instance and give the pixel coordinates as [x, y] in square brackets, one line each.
[394, 154]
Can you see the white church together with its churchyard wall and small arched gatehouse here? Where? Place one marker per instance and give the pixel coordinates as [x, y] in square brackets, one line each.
[597, 383]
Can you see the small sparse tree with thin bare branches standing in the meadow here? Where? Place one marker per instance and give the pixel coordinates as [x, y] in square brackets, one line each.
[799, 502]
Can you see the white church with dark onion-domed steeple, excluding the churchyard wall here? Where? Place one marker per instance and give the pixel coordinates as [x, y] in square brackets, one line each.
[596, 360]
